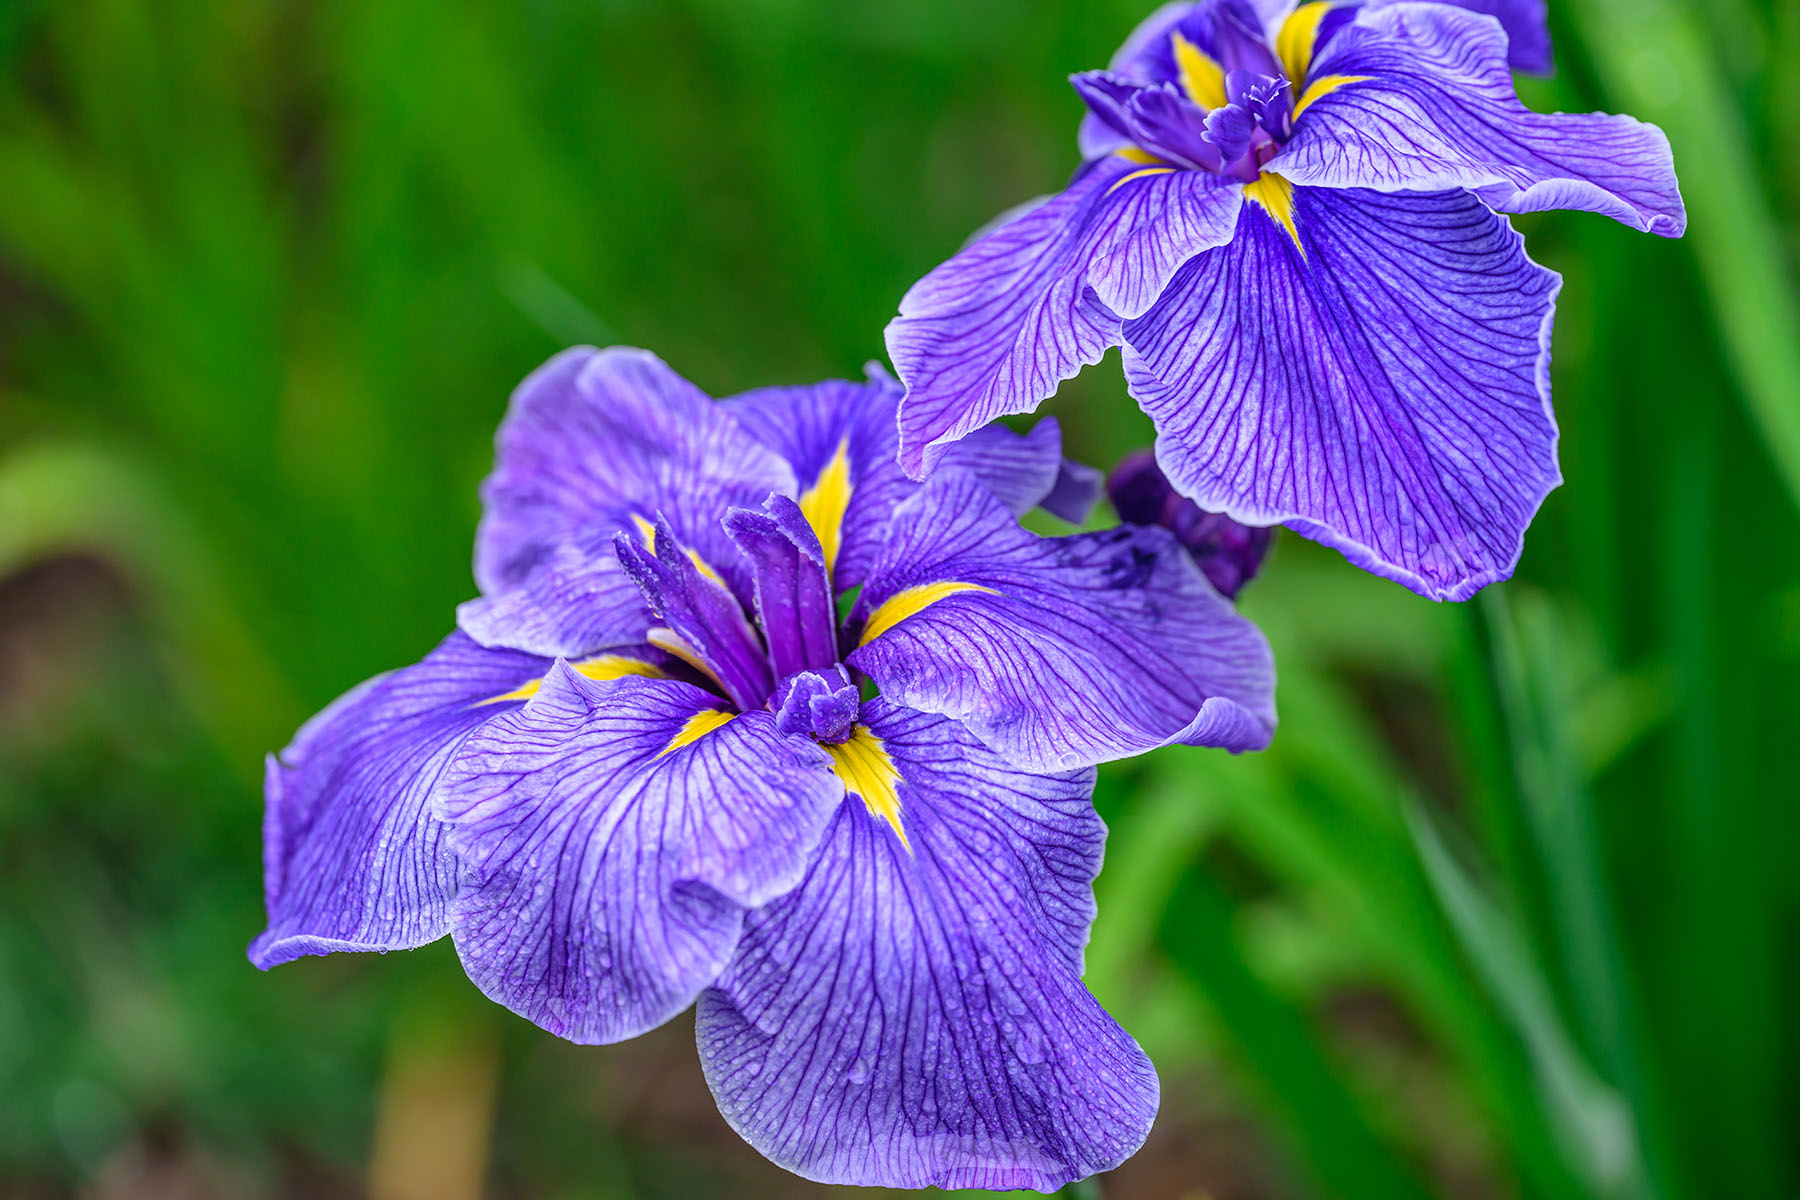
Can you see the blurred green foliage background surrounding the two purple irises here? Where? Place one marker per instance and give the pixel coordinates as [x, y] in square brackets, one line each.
[1507, 911]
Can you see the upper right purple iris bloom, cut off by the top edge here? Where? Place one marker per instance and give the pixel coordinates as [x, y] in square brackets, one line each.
[1290, 220]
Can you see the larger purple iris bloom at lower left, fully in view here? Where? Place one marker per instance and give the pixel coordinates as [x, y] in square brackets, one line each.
[649, 771]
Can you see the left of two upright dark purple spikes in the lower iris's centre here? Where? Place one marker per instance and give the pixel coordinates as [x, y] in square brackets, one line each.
[701, 611]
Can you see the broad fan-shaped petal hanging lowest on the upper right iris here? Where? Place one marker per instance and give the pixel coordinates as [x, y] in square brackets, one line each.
[1389, 395]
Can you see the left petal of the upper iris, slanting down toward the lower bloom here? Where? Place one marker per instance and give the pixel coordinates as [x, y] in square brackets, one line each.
[996, 328]
